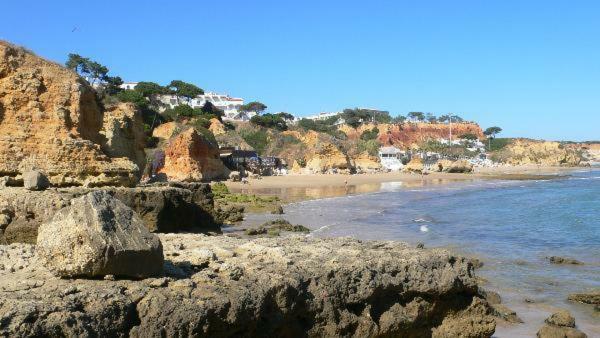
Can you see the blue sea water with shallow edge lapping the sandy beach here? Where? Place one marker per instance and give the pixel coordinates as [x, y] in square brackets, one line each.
[511, 225]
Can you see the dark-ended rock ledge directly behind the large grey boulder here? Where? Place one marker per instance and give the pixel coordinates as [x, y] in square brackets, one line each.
[162, 207]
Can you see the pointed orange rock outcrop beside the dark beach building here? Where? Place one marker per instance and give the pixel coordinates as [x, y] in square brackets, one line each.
[190, 157]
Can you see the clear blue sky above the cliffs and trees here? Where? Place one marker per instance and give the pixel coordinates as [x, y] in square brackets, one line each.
[530, 67]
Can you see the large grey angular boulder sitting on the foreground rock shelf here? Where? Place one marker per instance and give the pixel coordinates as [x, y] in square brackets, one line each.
[98, 235]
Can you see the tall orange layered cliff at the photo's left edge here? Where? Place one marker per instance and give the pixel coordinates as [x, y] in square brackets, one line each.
[50, 120]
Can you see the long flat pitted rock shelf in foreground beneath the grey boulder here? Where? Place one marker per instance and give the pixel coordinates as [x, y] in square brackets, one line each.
[224, 287]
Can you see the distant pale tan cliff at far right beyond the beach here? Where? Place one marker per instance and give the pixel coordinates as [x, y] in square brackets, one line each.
[533, 152]
